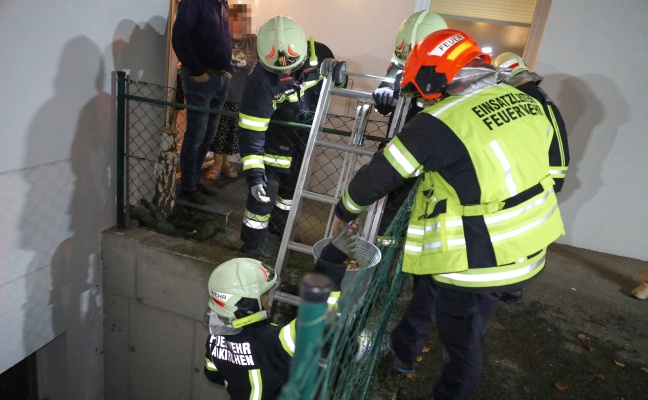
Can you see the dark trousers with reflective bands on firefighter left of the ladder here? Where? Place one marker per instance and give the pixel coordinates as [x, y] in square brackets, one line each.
[279, 185]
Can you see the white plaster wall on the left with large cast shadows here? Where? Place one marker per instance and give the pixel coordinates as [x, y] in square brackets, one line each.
[57, 172]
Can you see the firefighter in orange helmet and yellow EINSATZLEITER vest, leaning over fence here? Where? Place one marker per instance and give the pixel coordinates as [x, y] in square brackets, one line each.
[485, 208]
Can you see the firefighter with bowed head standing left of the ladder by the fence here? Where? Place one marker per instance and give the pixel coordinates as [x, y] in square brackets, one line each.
[283, 85]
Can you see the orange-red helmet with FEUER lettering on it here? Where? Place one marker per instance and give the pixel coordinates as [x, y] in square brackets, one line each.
[434, 63]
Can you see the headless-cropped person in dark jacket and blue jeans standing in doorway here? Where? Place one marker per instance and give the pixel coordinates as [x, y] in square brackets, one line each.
[201, 41]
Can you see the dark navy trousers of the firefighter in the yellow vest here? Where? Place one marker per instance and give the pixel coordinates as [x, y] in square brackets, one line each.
[462, 319]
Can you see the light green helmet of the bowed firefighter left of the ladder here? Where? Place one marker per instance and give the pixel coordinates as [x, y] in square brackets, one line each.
[281, 44]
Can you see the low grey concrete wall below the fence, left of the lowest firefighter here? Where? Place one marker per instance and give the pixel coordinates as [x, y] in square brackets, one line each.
[155, 295]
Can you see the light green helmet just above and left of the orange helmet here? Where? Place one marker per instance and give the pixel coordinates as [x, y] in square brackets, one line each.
[412, 31]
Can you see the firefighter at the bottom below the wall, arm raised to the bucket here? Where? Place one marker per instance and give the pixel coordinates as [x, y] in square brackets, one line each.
[244, 352]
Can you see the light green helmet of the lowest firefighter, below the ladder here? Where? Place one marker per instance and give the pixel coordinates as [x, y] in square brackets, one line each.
[235, 287]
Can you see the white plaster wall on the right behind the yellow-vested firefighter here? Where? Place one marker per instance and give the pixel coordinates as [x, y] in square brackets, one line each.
[593, 57]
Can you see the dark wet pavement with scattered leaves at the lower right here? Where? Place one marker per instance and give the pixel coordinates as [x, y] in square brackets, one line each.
[577, 334]
